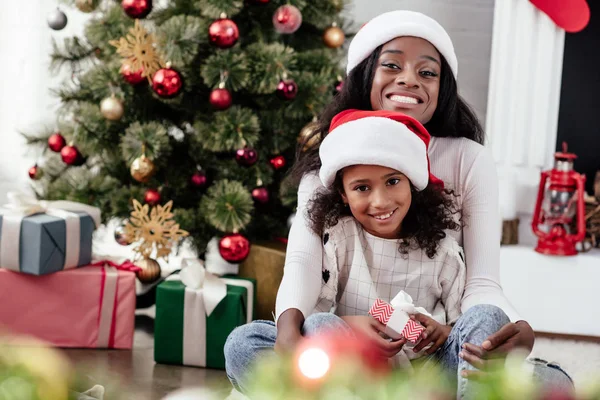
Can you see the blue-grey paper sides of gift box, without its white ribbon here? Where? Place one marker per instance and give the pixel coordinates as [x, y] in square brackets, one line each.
[43, 243]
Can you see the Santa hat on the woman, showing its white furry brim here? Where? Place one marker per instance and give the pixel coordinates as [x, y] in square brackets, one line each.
[393, 24]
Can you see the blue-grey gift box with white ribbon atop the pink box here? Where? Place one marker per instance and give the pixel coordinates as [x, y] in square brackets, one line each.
[42, 237]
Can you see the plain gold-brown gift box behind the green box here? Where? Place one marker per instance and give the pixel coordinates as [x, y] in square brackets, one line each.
[265, 264]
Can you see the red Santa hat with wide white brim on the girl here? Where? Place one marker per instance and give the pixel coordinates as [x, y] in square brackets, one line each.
[387, 138]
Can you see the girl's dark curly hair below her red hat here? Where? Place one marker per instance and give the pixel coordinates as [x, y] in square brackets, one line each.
[430, 213]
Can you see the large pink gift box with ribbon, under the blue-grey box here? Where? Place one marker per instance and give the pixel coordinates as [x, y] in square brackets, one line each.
[91, 307]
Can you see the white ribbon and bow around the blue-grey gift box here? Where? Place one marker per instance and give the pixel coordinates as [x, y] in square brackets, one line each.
[21, 206]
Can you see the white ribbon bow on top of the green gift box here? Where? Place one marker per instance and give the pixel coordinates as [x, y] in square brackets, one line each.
[196, 278]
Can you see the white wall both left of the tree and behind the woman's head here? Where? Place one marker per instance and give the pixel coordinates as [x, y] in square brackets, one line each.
[26, 104]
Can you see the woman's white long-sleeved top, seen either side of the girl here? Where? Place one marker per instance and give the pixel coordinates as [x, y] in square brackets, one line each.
[465, 167]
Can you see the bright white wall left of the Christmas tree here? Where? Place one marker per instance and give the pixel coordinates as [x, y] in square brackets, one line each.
[25, 101]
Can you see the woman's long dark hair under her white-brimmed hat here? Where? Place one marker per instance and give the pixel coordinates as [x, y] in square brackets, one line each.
[452, 117]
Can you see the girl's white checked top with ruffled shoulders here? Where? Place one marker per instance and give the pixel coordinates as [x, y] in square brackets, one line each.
[359, 268]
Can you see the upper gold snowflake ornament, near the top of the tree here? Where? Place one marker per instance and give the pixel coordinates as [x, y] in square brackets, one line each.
[137, 49]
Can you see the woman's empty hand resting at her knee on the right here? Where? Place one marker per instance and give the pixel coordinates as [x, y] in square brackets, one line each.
[495, 348]
